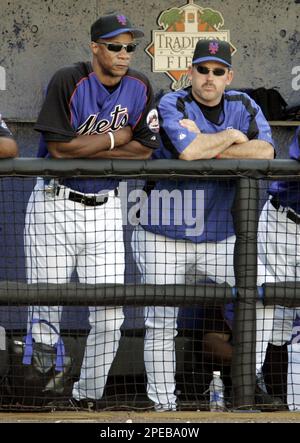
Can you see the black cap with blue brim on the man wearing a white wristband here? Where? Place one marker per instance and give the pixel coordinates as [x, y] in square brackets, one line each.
[112, 25]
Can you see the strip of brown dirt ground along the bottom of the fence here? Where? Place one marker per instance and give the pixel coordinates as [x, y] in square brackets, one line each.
[150, 417]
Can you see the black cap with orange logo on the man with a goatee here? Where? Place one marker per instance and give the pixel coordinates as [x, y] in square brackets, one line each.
[212, 50]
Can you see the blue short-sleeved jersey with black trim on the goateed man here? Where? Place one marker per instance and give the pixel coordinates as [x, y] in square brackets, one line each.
[201, 211]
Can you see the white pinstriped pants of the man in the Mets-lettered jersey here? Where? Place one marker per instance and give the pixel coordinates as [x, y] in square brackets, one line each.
[60, 236]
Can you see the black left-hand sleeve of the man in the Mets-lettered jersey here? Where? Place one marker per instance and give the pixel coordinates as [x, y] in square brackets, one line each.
[55, 115]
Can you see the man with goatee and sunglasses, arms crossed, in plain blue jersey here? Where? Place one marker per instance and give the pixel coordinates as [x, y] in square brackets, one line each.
[199, 122]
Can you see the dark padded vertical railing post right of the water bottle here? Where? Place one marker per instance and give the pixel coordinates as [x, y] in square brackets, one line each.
[245, 213]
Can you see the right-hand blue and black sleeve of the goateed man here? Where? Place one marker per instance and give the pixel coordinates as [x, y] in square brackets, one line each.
[254, 123]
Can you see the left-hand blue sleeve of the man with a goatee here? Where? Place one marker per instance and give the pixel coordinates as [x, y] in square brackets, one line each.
[174, 136]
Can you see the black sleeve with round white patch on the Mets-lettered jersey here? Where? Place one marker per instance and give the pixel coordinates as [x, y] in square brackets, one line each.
[146, 130]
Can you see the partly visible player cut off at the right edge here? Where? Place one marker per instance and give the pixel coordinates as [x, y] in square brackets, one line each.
[278, 246]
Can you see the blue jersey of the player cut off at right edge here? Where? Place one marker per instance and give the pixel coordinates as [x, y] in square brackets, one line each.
[288, 192]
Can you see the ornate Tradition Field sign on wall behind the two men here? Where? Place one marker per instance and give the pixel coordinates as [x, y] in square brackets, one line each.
[173, 45]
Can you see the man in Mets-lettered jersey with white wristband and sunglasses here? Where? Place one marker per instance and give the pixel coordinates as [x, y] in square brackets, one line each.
[97, 110]
